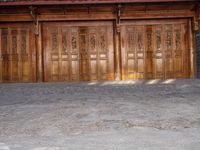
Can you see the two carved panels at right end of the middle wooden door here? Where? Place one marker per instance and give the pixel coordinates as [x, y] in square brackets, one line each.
[101, 57]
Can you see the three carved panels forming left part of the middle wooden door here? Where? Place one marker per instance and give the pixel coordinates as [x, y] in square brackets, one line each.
[61, 54]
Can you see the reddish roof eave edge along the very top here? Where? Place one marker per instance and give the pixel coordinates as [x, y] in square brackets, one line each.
[73, 2]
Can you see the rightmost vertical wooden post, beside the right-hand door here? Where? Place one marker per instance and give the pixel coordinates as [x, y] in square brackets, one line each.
[192, 51]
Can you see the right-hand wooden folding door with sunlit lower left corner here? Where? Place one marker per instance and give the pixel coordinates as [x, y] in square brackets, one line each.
[155, 49]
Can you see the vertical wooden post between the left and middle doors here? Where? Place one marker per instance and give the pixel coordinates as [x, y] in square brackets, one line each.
[39, 55]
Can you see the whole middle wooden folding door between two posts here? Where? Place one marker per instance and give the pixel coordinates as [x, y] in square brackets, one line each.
[78, 51]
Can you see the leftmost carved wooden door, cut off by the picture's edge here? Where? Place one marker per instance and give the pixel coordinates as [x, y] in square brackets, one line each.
[17, 62]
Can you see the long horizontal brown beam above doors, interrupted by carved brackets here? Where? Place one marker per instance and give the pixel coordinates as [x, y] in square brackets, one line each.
[97, 16]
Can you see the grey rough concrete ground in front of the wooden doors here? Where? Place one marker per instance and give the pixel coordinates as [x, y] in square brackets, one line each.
[118, 115]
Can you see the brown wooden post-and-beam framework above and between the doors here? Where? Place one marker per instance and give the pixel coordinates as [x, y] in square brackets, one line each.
[37, 16]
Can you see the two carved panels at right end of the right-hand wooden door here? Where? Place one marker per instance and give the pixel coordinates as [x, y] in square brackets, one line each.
[176, 50]
